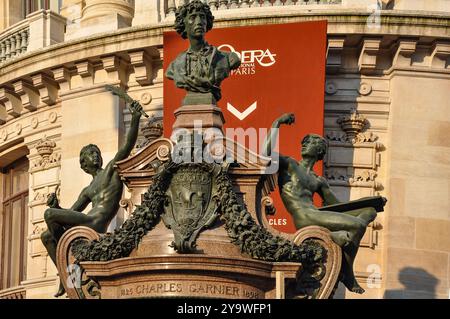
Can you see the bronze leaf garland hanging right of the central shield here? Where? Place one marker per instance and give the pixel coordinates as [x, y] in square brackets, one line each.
[256, 241]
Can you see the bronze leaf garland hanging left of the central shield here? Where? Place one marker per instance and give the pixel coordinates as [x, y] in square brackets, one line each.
[122, 241]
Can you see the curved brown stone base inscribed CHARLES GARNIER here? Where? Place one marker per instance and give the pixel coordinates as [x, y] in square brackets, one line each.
[197, 276]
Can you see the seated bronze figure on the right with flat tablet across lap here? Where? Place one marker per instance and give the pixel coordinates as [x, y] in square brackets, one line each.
[297, 184]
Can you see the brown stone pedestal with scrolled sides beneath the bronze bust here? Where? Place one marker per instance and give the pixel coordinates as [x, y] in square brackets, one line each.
[215, 266]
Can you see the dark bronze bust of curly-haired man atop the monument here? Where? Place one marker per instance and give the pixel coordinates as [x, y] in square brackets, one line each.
[202, 68]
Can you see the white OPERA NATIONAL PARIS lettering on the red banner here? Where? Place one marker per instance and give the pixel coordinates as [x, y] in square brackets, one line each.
[249, 59]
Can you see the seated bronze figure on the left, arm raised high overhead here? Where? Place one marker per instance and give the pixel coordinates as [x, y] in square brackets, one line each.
[104, 192]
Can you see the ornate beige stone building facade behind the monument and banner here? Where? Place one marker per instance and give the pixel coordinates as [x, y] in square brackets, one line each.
[386, 115]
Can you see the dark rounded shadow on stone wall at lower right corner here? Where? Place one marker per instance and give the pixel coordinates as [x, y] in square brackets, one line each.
[418, 284]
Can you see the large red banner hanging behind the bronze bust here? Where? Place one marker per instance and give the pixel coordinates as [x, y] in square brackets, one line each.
[282, 70]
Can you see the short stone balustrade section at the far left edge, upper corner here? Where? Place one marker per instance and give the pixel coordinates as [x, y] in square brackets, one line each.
[14, 41]
